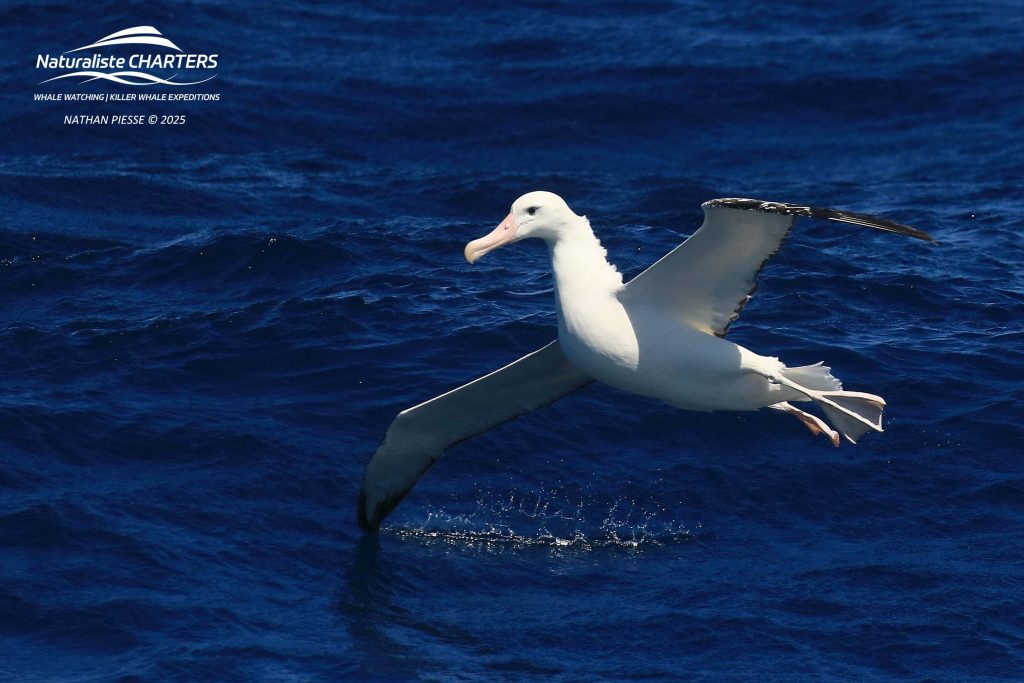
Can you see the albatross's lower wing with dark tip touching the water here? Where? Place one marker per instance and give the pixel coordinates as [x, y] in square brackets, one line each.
[420, 436]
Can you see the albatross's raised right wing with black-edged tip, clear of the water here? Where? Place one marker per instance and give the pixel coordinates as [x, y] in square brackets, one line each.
[708, 280]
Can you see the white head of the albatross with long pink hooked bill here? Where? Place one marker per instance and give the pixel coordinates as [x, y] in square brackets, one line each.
[539, 215]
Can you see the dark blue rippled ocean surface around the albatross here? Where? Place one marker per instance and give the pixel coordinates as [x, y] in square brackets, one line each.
[205, 331]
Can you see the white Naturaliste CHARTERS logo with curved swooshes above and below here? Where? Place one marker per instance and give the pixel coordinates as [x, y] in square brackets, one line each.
[140, 68]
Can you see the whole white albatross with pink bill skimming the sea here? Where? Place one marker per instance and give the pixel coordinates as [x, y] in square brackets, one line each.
[660, 335]
